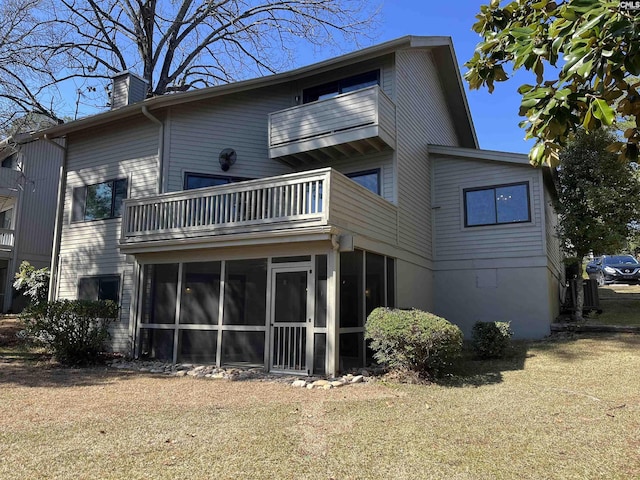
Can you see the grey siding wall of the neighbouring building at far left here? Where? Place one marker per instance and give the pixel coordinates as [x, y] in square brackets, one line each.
[37, 210]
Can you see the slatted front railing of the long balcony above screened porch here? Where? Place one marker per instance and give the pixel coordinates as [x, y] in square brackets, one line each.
[289, 198]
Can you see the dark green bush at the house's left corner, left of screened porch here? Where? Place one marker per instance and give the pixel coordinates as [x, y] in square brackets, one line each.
[74, 330]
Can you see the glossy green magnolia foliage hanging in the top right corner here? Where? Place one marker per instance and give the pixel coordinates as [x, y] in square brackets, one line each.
[584, 54]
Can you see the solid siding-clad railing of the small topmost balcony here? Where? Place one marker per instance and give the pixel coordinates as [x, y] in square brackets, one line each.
[360, 108]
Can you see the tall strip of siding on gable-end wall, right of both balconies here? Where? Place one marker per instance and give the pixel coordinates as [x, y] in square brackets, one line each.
[422, 118]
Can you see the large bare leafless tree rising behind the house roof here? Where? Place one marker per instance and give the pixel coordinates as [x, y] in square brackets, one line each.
[177, 45]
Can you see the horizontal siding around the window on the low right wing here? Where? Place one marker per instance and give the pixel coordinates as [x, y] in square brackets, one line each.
[454, 241]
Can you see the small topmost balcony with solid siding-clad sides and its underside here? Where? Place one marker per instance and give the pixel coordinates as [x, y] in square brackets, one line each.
[352, 123]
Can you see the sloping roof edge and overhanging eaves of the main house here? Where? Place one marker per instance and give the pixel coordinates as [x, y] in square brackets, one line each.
[440, 47]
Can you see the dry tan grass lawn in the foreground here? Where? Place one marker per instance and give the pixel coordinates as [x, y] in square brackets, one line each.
[562, 408]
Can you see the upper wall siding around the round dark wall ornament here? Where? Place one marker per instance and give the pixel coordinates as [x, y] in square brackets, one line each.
[199, 132]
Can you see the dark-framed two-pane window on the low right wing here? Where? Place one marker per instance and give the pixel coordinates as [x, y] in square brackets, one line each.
[496, 205]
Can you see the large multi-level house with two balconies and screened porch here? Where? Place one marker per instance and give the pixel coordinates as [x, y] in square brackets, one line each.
[259, 222]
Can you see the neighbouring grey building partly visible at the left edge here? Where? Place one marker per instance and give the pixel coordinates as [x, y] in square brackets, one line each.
[29, 182]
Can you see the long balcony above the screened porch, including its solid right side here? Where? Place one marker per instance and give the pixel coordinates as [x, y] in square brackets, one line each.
[317, 202]
